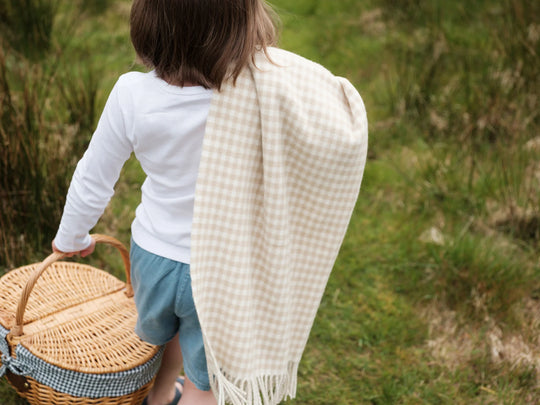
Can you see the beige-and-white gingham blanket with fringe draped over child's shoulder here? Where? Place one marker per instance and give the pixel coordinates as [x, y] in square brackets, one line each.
[282, 162]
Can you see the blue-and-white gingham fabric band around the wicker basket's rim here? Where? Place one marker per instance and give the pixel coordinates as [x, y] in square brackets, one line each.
[75, 383]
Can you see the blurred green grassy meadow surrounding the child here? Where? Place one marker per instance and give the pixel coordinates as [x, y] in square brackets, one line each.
[435, 296]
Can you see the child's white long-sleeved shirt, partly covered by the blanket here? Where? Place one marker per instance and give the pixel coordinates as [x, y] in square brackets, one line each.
[164, 126]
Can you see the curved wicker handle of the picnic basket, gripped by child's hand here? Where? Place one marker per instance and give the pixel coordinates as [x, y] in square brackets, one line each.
[17, 330]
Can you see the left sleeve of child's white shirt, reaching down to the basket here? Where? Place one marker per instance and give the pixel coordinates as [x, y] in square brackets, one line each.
[92, 185]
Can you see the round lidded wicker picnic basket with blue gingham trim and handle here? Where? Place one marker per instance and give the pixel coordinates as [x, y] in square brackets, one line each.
[66, 334]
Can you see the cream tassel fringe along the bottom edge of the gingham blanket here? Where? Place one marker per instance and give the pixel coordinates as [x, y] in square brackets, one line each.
[259, 390]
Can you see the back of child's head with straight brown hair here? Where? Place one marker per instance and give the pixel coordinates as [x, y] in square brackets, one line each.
[200, 41]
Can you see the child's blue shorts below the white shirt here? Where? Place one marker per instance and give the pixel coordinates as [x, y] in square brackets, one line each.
[165, 307]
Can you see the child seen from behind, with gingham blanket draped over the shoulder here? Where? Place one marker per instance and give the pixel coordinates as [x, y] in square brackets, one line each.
[276, 162]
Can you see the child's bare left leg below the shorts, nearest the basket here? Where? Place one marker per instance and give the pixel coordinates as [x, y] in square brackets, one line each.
[165, 385]
